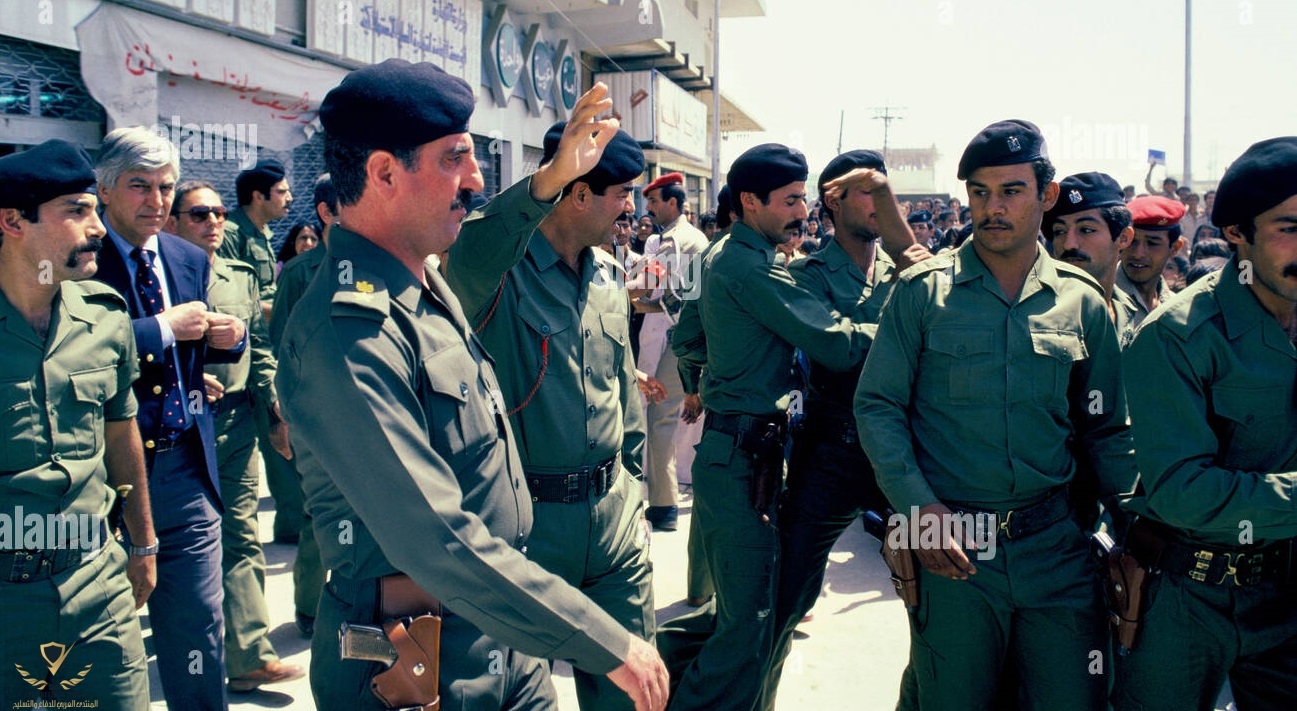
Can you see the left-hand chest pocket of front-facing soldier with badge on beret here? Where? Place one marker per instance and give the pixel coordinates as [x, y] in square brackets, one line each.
[962, 367]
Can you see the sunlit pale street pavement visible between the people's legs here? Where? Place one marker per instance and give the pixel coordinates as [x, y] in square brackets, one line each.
[850, 656]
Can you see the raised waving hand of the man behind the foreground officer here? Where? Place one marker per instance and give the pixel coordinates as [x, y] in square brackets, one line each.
[582, 146]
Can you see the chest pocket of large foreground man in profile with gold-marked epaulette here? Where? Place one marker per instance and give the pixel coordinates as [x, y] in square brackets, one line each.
[460, 412]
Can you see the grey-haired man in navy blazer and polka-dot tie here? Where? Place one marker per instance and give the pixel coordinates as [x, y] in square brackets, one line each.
[164, 280]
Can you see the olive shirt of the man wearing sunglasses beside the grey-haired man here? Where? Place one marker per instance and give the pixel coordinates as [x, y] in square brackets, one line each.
[233, 291]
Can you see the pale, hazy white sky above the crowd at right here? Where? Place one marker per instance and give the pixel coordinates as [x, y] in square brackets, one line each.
[1103, 78]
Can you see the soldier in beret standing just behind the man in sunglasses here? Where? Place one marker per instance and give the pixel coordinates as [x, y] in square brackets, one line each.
[264, 197]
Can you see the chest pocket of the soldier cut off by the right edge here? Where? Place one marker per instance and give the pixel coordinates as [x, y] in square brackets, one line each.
[1255, 429]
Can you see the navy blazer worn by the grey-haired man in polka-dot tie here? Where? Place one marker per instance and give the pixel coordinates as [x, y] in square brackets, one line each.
[187, 274]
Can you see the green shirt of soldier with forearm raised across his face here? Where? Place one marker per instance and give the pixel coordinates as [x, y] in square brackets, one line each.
[833, 277]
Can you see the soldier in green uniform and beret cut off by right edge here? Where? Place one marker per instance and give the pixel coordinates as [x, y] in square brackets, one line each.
[1213, 391]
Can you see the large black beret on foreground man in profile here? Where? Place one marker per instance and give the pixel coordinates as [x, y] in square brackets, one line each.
[398, 104]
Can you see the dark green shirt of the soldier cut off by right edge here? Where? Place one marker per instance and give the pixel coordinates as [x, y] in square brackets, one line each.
[1213, 391]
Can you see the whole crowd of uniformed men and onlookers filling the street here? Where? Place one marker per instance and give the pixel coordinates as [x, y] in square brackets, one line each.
[470, 420]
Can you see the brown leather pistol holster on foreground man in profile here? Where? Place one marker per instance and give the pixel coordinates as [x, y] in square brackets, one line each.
[414, 677]
